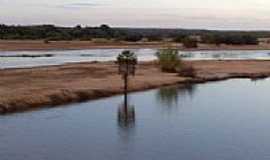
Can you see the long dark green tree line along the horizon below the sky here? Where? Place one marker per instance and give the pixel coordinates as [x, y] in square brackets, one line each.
[51, 32]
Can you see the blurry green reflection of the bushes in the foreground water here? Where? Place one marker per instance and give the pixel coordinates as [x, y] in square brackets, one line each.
[169, 96]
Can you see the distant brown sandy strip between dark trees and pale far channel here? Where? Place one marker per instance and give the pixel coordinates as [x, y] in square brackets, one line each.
[21, 45]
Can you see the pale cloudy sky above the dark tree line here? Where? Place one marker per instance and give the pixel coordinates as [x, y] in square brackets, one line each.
[195, 14]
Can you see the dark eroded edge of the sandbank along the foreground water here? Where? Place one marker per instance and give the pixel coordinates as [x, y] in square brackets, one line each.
[84, 96]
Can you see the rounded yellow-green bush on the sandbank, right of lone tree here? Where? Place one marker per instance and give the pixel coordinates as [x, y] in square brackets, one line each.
[169, 60]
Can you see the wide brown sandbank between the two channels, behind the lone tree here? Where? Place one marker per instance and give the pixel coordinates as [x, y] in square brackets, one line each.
[23, 89]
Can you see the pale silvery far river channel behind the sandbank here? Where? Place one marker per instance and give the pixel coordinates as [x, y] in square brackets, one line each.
[23, 59]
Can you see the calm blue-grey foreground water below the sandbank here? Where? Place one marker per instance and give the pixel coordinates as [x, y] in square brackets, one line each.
[222, 120]
